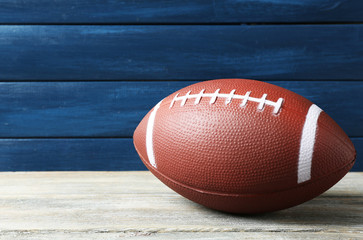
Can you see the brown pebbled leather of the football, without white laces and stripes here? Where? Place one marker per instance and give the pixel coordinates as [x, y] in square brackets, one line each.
[204, 151]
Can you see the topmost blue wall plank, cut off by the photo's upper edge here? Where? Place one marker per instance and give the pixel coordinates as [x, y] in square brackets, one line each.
[179, 11]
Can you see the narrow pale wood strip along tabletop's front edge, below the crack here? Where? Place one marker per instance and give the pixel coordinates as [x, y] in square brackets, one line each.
[145, 235]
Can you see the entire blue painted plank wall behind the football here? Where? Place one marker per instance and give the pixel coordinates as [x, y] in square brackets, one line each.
[77, 76]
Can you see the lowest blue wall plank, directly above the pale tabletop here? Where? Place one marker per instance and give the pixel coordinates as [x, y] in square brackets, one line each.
[84, 155]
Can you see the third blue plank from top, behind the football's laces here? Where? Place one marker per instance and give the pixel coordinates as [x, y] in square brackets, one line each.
[113, 109]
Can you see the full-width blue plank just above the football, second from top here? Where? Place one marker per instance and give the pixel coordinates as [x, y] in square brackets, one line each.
[181, 52]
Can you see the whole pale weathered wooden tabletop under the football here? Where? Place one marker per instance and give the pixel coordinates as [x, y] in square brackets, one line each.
[135, 205]
